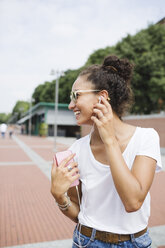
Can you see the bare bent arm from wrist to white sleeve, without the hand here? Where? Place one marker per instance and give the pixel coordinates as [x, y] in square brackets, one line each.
[132, 186]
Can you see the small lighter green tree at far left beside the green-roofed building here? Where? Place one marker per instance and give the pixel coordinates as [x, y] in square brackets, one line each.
[20, 108]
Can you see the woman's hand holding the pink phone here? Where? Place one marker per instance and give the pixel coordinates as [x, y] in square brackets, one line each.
[62, 178]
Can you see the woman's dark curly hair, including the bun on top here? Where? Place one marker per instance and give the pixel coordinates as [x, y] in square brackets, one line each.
[114, 75]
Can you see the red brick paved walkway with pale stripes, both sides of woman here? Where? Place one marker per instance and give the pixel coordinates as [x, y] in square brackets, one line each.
[29, 217]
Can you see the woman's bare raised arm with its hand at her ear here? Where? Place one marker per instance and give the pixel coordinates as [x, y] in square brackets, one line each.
[131, 185]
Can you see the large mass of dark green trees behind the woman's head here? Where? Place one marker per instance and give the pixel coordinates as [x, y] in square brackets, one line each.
[146, 50]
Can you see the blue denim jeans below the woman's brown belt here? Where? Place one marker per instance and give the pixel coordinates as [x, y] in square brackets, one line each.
[81, 241]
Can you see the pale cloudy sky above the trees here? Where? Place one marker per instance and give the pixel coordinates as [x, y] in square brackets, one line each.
[37, 36]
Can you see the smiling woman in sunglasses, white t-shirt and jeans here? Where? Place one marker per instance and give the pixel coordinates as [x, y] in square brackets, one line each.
[115, 163]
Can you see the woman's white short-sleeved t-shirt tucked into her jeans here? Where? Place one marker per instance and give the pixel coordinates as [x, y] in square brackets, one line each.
[101, 207]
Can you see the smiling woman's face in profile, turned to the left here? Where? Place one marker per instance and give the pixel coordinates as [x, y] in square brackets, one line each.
[83, 106]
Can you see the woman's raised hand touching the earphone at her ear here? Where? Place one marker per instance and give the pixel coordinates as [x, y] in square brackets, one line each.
[104, 121]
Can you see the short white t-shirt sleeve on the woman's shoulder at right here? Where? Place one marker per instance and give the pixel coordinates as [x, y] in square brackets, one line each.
[150, 146]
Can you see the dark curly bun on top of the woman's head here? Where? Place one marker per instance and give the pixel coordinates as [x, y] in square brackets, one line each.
[122, 67]
